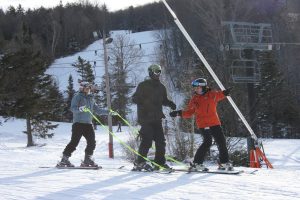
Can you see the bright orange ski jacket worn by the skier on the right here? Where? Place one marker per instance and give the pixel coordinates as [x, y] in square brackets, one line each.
[205, 108]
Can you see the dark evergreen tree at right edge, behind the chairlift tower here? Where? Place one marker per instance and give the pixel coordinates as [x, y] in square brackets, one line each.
[278, 108]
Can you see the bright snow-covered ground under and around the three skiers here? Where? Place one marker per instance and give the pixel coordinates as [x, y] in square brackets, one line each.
[21, 177]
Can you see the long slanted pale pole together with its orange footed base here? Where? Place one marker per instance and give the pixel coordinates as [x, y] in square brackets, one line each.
[256, 155]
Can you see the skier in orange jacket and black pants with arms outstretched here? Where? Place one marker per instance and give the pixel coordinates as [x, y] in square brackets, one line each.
[204, 106]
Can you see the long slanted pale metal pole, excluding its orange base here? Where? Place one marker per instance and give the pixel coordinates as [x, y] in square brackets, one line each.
[212, 73]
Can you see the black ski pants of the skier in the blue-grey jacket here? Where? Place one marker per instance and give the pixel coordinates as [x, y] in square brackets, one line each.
[79, 130]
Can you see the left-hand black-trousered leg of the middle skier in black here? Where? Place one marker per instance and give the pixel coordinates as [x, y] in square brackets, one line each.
[146, 135]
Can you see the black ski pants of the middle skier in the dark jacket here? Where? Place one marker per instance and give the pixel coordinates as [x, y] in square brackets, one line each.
[152, 131]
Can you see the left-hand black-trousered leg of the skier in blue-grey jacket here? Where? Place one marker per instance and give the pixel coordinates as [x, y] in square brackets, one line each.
[75, 138]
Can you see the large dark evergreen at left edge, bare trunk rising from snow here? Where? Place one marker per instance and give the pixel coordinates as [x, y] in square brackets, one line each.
[24, 86]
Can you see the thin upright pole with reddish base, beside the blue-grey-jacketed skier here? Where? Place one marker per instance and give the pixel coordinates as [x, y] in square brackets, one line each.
[108, 100]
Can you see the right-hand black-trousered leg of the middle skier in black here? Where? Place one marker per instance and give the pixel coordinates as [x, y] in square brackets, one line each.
[160, 143]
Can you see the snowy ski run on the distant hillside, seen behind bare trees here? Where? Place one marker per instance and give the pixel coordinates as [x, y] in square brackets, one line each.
[61, 68]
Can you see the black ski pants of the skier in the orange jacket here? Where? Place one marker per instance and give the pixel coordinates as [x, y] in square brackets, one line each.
[218, 135]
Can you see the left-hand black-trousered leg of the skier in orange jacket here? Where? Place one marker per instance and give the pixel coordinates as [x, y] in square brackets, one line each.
[204, 147]
